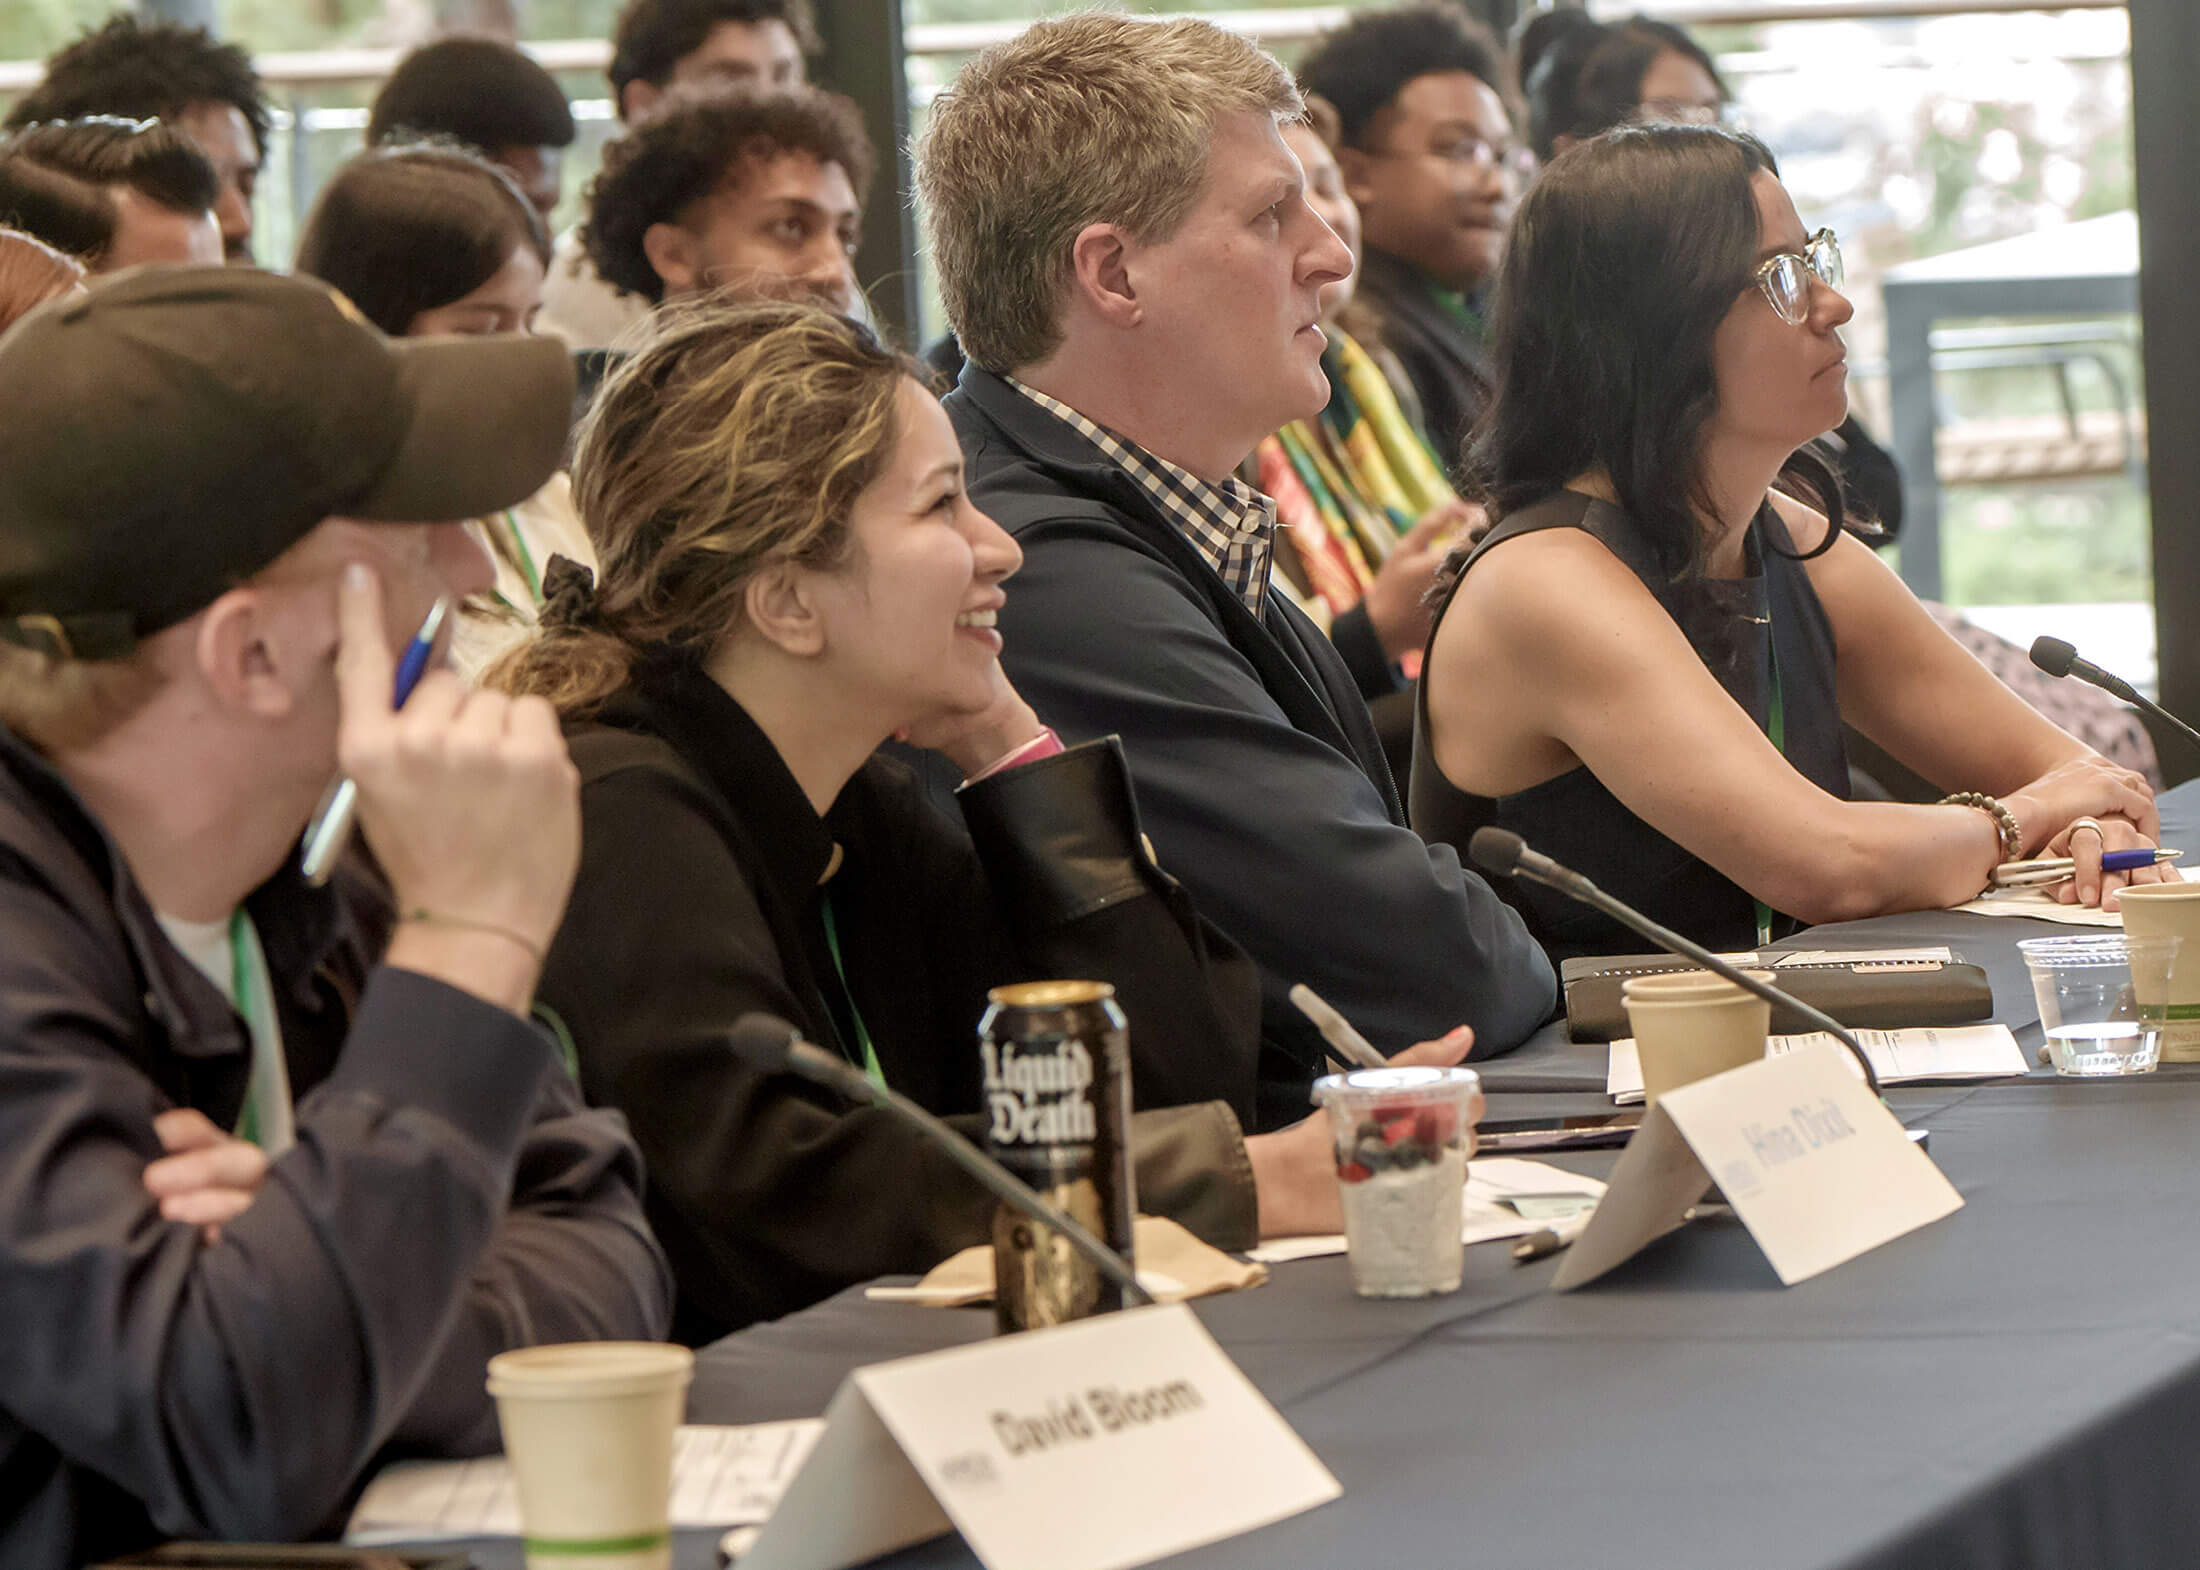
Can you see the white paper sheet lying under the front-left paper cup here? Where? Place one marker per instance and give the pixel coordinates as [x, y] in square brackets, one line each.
[723, 1477]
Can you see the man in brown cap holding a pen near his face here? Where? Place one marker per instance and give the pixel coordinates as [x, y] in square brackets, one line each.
[221, 505]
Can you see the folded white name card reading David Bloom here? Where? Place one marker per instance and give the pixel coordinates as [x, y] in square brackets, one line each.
[1092, 1446]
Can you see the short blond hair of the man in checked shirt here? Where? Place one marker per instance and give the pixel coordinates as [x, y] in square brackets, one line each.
[1083, 120]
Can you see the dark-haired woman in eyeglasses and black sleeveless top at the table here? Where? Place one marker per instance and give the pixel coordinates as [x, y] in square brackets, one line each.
[1647, 663]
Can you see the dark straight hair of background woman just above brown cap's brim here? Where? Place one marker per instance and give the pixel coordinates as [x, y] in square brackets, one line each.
[412, 228]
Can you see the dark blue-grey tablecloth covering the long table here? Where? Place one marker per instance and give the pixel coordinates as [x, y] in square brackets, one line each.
[2016, 1386]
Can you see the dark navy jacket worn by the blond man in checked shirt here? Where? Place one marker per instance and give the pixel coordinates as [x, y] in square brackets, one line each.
[1257, 769]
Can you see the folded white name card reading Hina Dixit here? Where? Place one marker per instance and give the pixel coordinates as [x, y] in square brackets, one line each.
[1805, 1153]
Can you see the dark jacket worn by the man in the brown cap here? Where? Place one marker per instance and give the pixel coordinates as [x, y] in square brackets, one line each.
[448, 1199]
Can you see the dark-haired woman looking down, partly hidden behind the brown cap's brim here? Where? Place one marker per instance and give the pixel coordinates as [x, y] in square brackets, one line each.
[428, 241]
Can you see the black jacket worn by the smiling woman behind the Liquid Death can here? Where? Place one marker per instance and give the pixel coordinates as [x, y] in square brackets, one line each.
[703, 896]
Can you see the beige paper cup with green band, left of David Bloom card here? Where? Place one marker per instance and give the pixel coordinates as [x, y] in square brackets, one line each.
[591, 1435]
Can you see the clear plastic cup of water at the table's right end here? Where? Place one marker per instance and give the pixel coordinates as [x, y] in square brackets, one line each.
[2089, 995]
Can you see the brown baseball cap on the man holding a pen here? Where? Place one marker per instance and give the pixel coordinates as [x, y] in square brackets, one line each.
[175, 430]
